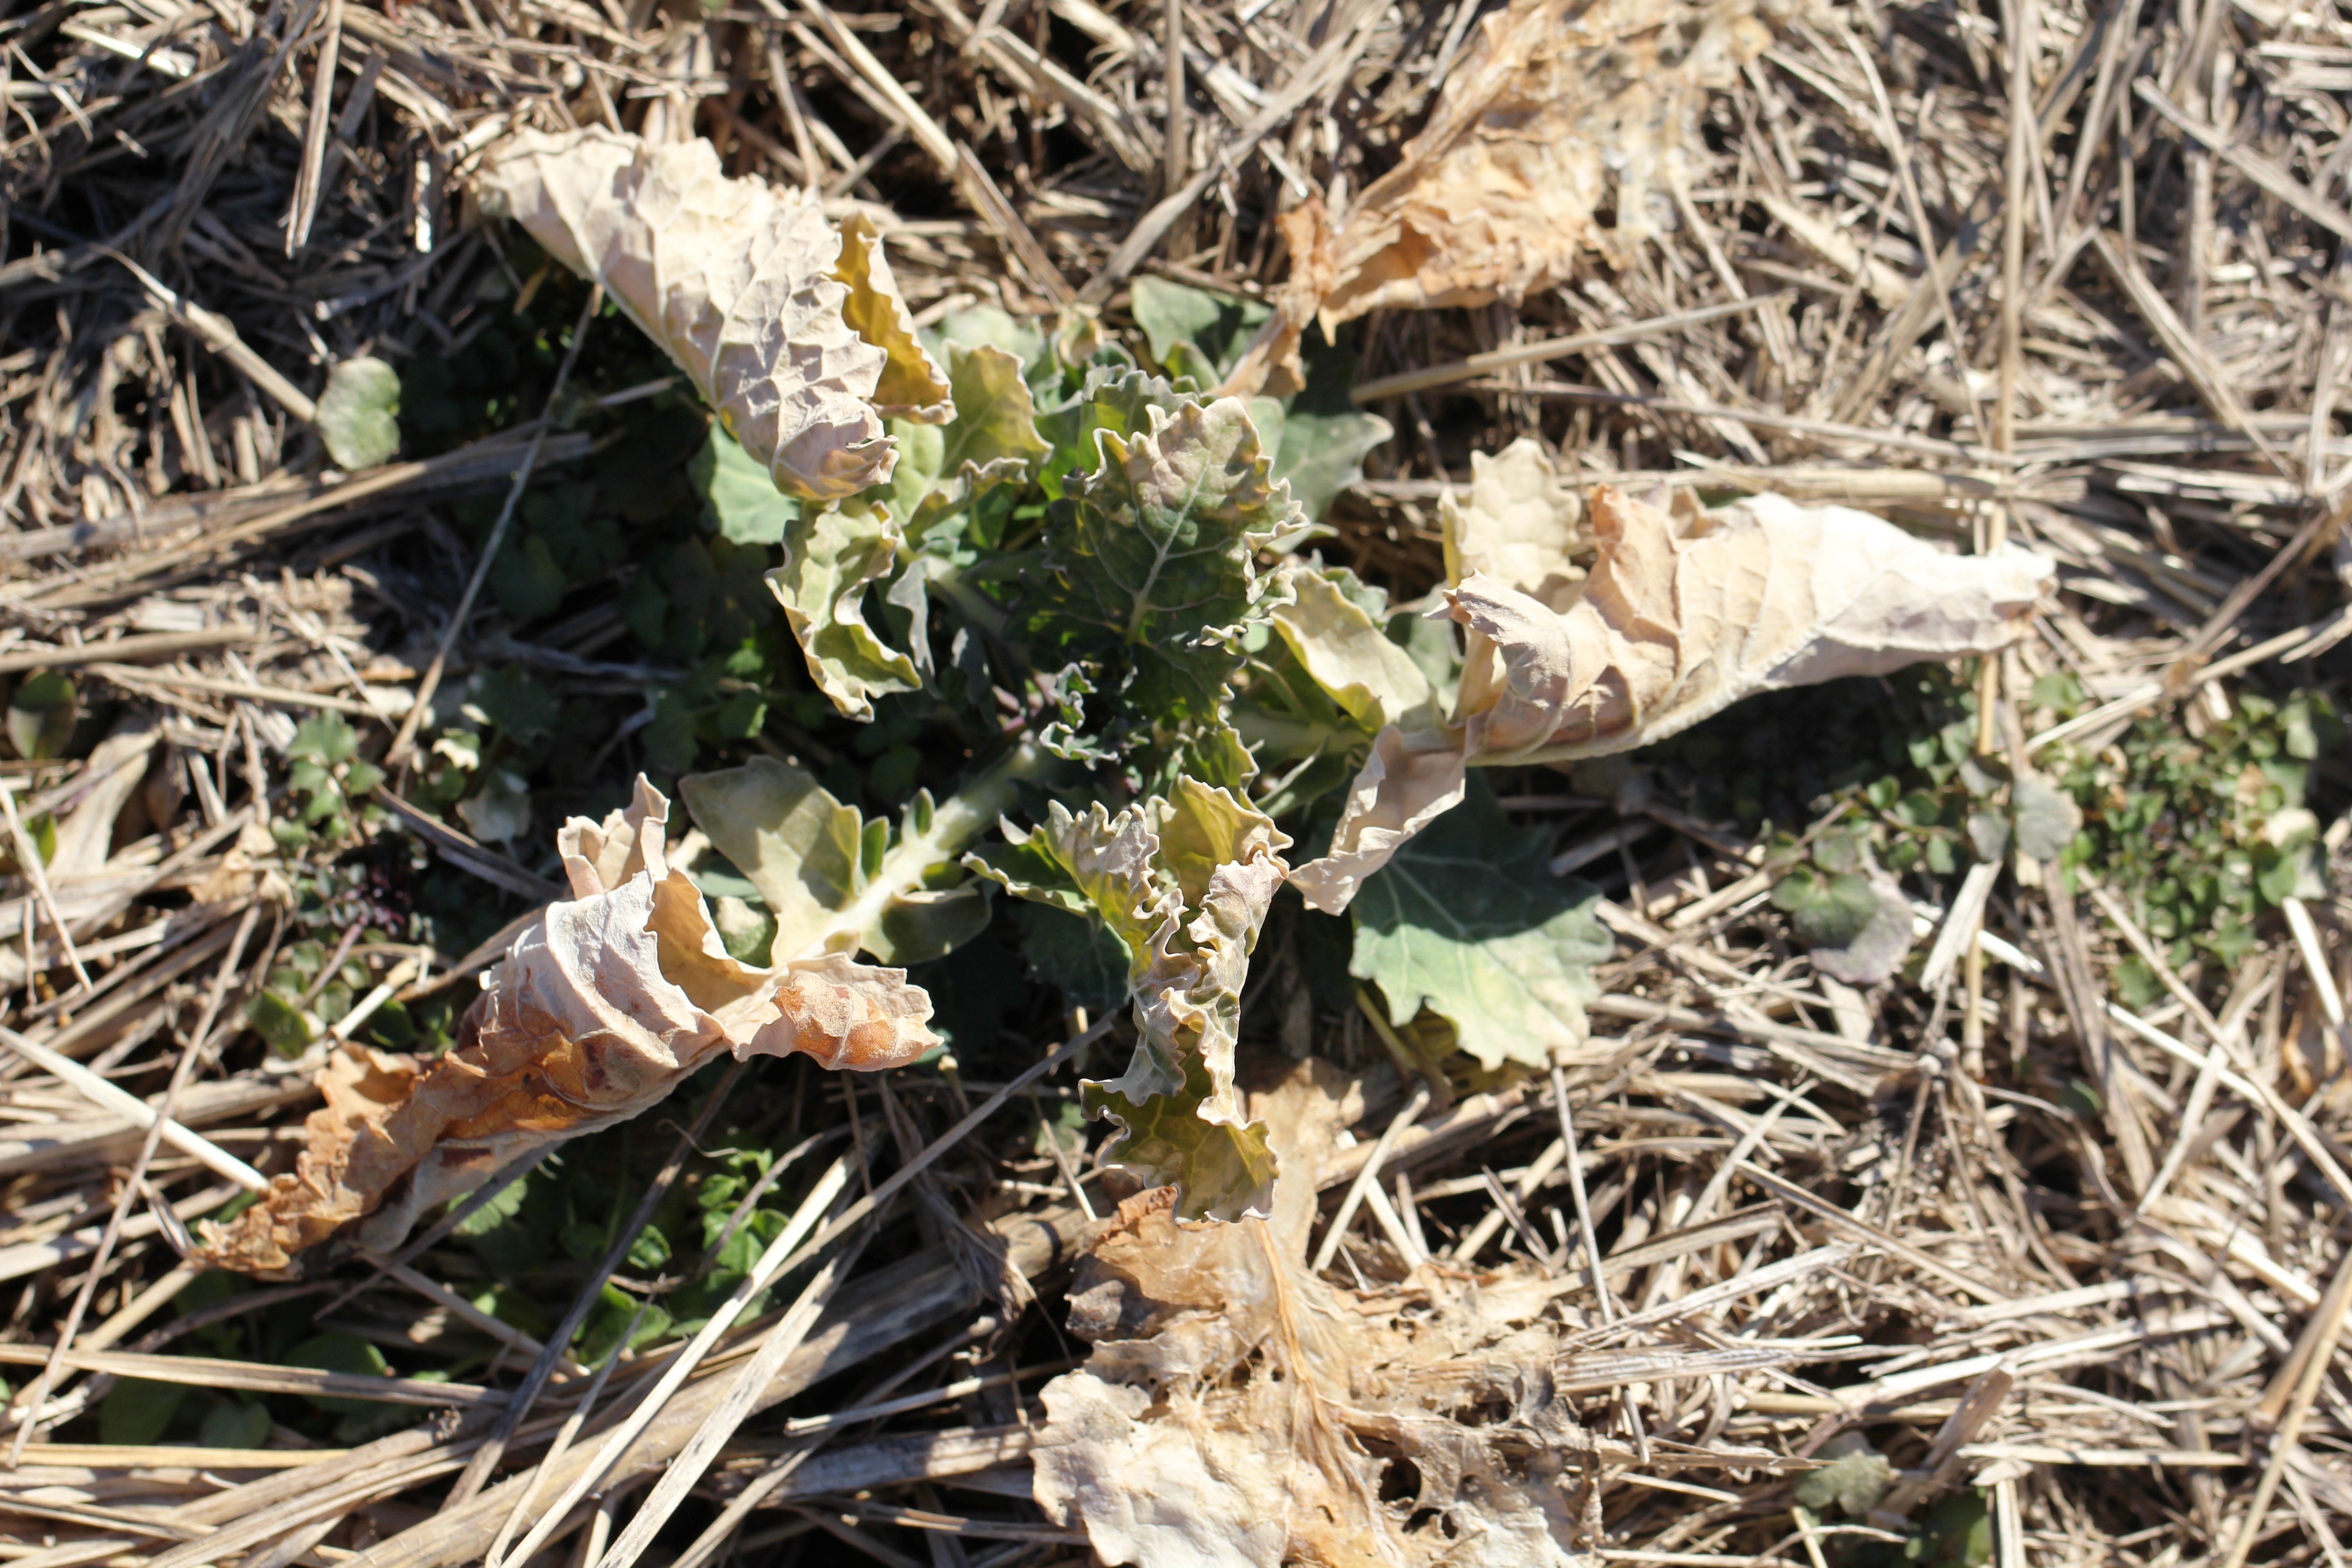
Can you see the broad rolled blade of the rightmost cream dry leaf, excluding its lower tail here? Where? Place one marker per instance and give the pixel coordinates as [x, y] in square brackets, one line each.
[1676, 626]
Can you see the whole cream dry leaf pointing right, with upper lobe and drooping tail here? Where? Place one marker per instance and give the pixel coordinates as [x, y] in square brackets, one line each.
[1683, 615]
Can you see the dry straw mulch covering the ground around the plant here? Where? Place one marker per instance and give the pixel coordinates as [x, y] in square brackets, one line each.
[2085, 290]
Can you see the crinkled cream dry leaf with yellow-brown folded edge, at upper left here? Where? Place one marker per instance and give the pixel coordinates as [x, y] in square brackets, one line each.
[789, 328]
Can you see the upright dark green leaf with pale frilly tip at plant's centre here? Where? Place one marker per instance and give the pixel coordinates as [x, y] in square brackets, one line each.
[1151, 556]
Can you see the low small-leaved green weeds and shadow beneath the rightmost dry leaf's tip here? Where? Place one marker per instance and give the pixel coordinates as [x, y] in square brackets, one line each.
[2200, 833]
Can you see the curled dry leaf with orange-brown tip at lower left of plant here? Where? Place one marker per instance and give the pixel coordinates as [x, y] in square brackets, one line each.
[594, 1017]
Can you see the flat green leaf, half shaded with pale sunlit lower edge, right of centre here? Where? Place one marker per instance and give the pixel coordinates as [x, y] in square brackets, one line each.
[1469, 923]
